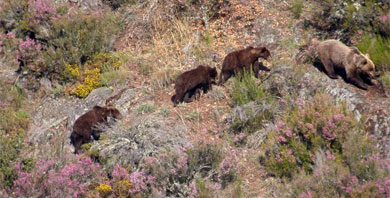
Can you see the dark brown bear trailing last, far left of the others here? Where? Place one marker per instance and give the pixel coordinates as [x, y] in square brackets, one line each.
[84, 126]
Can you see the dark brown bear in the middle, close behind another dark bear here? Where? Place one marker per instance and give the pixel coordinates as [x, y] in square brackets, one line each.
[190, 81]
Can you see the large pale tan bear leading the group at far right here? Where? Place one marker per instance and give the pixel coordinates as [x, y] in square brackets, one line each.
[335, 56]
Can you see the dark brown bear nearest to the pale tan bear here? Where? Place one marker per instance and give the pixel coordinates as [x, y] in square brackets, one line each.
[245, 58]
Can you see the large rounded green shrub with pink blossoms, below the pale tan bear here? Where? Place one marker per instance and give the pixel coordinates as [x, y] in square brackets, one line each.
[304, 130]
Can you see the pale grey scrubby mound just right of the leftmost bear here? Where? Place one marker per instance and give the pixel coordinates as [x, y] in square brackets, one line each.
[128, 146]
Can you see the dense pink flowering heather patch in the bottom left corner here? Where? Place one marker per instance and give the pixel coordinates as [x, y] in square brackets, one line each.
[70, 176]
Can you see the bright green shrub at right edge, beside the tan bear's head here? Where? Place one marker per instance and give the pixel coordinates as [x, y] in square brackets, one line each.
[378, 48]
